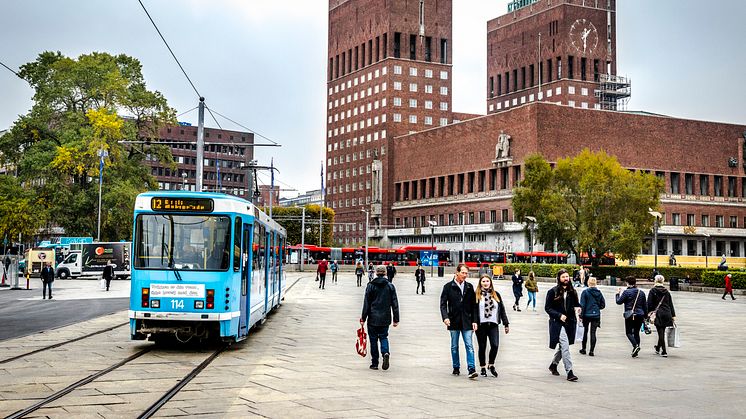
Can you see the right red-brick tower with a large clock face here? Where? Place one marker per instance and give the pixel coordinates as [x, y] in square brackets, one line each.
[561, 51]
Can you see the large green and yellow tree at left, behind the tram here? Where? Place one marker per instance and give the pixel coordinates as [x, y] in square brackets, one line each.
[82, 106]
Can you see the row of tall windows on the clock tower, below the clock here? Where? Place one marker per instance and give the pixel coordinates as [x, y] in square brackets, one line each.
[526, 77]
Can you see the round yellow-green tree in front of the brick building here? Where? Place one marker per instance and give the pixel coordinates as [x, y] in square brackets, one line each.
[588, 203]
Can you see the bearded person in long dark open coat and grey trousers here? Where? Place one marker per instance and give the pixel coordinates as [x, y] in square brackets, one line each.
[563, 307]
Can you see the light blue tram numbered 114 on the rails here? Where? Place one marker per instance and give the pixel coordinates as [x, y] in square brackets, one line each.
[204, 266]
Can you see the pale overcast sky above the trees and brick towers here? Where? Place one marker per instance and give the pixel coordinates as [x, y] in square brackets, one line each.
[263, 62]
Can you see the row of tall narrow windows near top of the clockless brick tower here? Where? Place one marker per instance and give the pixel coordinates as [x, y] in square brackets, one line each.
[376, 49]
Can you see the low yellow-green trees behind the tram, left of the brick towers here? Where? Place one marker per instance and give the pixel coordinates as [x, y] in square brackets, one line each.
[291, 219]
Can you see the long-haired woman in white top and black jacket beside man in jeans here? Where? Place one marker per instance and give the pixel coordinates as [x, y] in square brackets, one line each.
[491, 314]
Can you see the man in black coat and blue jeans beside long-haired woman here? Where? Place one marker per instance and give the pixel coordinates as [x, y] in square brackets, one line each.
[459, 311]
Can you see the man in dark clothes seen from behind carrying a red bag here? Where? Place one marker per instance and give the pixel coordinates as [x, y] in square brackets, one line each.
[379, 303]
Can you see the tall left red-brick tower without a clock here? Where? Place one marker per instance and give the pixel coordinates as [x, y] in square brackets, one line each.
[388, 74]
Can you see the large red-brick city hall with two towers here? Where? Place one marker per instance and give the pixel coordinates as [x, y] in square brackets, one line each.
[551, 89]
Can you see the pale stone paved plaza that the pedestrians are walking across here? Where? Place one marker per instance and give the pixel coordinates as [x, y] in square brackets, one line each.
[302, 363]
